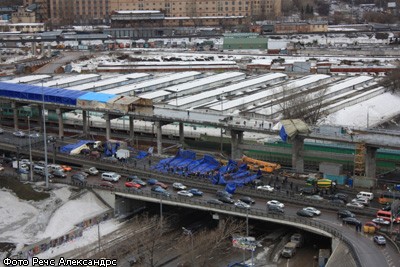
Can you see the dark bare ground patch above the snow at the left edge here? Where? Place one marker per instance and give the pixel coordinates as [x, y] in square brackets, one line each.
[23, 191]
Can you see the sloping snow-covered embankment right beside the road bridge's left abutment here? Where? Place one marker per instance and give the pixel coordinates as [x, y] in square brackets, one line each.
[71, 213]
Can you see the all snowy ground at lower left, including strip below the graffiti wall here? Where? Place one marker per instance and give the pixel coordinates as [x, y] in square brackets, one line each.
[27, 222]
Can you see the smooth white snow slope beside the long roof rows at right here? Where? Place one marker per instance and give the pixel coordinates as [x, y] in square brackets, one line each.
[378, 109]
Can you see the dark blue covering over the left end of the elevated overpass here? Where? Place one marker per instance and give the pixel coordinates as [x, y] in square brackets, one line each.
[36, 93]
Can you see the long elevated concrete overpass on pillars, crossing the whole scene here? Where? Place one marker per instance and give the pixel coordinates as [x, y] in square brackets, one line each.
[235, 127]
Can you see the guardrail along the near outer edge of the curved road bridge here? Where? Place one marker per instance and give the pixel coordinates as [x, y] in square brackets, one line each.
[234, 210]
